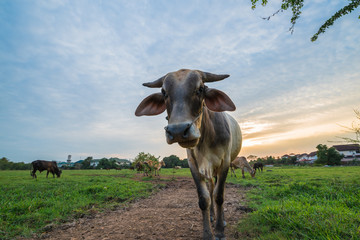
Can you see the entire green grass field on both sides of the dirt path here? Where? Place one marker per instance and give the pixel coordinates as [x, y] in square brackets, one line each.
[287, 203]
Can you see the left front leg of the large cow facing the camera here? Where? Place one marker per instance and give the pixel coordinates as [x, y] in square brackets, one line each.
[204, 202]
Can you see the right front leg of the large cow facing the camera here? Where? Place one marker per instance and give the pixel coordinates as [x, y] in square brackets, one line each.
[219, 200]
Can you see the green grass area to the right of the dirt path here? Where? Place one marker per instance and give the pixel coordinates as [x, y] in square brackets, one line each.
[303, 203]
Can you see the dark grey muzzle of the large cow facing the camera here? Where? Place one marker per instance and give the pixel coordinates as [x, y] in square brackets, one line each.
[186, 134]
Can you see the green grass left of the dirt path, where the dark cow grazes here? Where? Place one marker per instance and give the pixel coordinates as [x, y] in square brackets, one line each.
[28, 205]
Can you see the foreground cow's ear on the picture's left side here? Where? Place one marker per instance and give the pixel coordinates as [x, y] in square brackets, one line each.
[151, 105]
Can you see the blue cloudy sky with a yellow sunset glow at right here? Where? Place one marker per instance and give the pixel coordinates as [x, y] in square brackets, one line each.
[71, 74]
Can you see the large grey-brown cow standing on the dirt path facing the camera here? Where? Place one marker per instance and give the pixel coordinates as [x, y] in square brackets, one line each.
[197, 122]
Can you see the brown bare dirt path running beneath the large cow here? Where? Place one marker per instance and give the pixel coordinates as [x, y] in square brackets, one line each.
[172, 213]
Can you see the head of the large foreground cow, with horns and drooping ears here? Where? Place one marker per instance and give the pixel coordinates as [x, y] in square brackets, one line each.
[184, 95]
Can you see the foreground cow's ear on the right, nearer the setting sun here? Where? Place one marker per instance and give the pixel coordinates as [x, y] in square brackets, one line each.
[218, 101]
